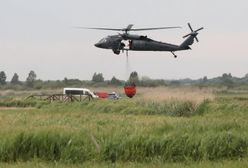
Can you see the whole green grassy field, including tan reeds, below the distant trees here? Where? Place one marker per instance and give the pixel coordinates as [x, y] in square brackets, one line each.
[160, 127]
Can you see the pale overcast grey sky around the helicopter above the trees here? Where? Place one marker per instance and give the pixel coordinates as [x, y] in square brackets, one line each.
[40, 35]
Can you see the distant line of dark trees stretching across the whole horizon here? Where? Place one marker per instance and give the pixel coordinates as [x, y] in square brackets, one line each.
[98, 80]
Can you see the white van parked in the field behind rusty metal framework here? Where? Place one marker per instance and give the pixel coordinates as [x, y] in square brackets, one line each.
[79, 92]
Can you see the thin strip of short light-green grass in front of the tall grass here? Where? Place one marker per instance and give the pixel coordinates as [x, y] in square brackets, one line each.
[42, 164]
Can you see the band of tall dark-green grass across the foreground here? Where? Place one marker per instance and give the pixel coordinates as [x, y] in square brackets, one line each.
[52, 146]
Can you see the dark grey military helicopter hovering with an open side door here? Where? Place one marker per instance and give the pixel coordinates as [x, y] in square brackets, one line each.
[142, 43]
